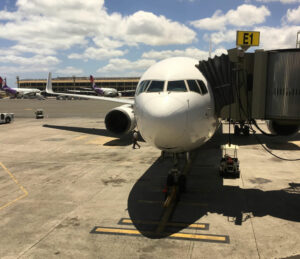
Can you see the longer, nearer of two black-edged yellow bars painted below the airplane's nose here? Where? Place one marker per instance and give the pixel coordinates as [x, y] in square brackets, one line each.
[200, 237]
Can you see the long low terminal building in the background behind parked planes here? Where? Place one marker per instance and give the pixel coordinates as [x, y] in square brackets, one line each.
[64, 84]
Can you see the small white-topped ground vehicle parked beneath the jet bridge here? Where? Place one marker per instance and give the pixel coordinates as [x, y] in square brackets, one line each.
[229, 164]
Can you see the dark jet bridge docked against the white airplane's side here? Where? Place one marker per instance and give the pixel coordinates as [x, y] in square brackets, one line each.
[261, 85]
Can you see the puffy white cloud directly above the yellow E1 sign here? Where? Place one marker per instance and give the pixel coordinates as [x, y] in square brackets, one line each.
[244, 16]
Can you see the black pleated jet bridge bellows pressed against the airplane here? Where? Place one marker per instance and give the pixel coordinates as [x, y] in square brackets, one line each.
[217, 72]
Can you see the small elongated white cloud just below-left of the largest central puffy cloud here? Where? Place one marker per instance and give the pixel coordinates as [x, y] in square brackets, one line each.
[97, 54]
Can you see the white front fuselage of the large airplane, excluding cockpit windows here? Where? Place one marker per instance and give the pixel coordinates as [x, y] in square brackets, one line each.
[175, 121]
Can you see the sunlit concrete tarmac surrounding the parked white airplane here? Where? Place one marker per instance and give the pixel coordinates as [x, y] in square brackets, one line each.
[69, 189]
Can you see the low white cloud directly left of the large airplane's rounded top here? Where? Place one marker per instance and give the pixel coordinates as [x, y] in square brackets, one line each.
[124, 65]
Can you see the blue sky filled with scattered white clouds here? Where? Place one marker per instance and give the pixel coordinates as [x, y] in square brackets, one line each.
[123, 38]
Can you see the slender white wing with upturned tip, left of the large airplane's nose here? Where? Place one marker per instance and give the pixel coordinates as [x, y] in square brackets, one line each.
[49, 90]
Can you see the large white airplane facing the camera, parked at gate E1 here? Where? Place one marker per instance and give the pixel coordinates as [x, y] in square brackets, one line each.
[173, 107]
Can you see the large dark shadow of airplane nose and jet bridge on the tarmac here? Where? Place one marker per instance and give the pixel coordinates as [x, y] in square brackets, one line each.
[206, 194]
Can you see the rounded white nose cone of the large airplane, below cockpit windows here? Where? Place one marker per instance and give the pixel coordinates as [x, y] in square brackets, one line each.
[164, 121]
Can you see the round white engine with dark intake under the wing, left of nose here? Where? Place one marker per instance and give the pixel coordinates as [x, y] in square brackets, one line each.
[120, 120]
